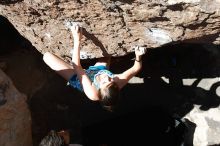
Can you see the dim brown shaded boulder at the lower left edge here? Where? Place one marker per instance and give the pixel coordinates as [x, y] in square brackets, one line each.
[15, 119]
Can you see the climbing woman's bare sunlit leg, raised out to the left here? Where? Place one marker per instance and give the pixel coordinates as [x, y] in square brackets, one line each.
[60, 66]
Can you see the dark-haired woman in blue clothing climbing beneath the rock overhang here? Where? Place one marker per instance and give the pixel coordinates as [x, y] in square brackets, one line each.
[97, 82]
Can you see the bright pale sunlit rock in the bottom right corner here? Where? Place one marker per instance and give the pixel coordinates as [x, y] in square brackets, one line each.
[208, 128]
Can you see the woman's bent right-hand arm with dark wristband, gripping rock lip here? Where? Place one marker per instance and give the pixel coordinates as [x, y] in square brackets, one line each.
[128, 74]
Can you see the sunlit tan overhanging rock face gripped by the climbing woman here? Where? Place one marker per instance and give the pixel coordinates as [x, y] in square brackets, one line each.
[113, 27]
